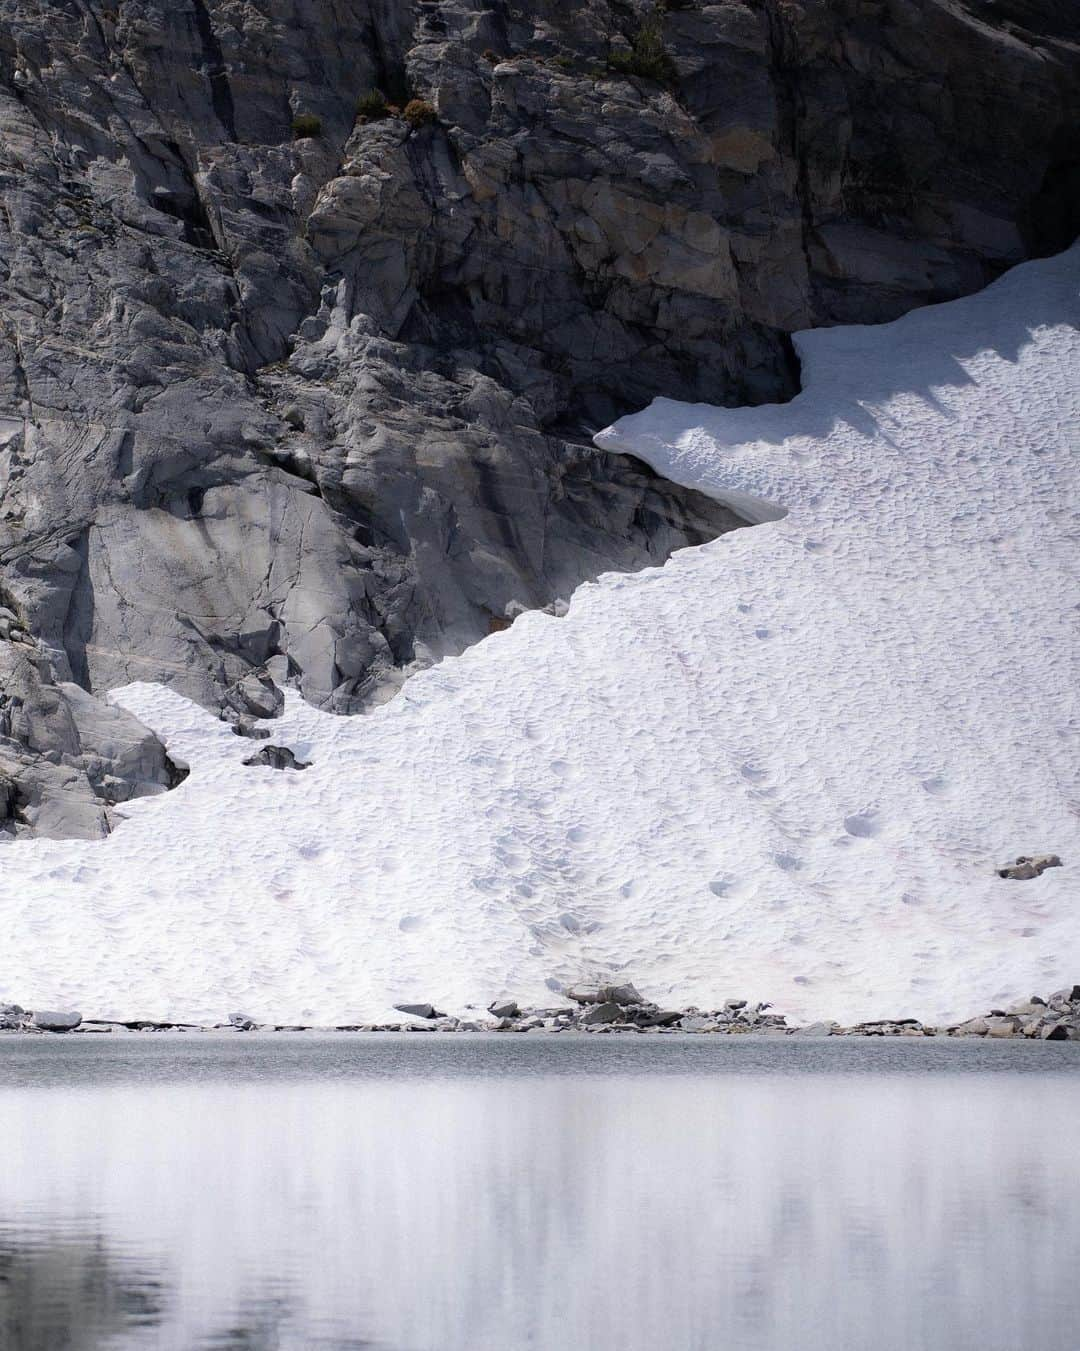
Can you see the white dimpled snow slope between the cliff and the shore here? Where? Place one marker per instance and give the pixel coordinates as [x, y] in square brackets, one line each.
[782, 767]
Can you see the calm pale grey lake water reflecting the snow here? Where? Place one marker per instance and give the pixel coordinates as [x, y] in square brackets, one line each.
[554, 1194]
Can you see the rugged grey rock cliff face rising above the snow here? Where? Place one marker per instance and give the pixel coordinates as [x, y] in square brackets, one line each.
[290, 378]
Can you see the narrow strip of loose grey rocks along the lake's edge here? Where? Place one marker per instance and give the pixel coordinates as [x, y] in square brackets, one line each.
[605, 1010]
